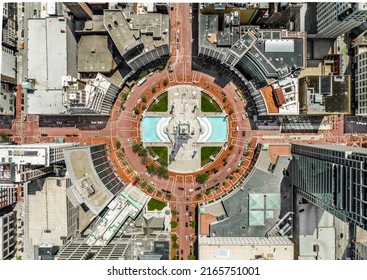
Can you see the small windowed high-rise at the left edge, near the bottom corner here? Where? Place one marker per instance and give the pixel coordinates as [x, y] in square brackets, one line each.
[8, 227]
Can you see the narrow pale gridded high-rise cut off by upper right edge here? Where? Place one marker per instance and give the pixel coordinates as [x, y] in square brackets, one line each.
[360, 81]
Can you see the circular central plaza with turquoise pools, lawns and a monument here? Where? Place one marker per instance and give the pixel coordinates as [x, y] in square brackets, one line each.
[185, 128]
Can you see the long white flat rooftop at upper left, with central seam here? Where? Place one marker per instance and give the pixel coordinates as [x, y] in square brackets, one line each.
[47, 62]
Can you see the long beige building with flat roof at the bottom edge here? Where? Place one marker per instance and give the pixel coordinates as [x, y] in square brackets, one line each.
[245, 248]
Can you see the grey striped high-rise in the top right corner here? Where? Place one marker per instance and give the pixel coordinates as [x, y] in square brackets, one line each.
[335, 19]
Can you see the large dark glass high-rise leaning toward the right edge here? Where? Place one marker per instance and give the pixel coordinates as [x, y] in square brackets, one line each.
[333, 178]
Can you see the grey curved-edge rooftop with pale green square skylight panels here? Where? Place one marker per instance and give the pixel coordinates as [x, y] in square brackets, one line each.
[256, 222]
